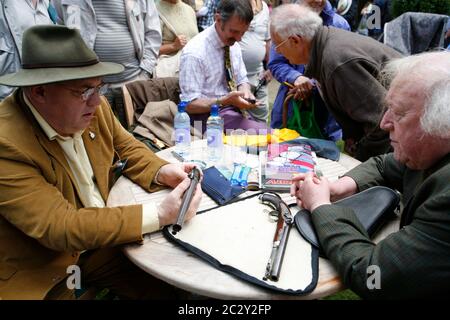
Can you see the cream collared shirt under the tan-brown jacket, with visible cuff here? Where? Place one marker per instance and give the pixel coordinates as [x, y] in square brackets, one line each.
[80, 165]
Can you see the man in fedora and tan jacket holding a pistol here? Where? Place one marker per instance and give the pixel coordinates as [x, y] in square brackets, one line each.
[58, 141]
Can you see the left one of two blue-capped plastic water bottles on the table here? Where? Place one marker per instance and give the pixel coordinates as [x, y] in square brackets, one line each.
[182, 125]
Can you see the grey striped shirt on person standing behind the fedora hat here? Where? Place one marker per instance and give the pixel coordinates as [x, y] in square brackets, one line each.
[114, 42]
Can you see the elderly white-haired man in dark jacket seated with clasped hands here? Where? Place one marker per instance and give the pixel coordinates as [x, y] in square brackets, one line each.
[413, 262]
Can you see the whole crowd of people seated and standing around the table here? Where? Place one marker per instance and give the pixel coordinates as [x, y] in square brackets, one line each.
[63, 65]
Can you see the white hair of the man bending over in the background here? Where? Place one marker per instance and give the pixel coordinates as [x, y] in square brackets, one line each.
[291, 19]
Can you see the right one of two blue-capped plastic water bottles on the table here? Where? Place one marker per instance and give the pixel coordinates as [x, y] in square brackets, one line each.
[214, 134]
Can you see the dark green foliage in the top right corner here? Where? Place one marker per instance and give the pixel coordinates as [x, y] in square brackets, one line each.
[430, 6]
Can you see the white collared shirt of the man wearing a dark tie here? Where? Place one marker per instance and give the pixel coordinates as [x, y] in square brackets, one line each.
[202, 70]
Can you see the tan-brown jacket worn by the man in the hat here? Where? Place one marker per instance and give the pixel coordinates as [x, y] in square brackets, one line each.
[43, 225]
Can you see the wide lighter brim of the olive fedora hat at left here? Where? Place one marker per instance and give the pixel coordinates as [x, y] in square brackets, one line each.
[31, 77]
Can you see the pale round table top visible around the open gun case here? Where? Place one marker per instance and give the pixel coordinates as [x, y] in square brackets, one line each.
[171, 263]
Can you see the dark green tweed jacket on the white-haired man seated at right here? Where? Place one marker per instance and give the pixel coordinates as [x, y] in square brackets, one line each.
[413, 262]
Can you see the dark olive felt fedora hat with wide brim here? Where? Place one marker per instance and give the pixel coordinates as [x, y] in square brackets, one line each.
[53, 53]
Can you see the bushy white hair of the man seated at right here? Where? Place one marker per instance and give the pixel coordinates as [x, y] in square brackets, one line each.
[431, 72]
